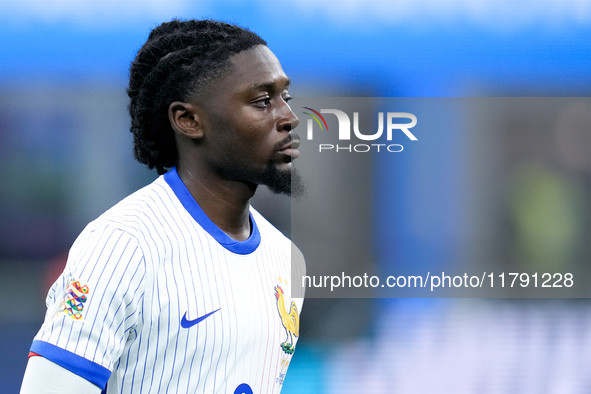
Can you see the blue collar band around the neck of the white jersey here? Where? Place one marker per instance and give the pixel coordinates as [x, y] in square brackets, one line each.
[185, 197]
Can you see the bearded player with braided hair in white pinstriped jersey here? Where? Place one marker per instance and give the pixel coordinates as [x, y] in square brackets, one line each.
[183, 287]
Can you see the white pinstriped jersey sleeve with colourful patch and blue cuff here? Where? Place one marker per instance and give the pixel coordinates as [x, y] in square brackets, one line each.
[94, 305]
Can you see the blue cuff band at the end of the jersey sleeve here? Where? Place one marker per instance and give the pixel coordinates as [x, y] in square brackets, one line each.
[93, 372]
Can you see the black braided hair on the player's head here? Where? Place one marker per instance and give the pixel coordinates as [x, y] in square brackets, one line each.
[177, 61]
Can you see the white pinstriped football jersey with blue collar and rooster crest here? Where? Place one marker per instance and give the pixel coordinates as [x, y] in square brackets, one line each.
[155, 298]
